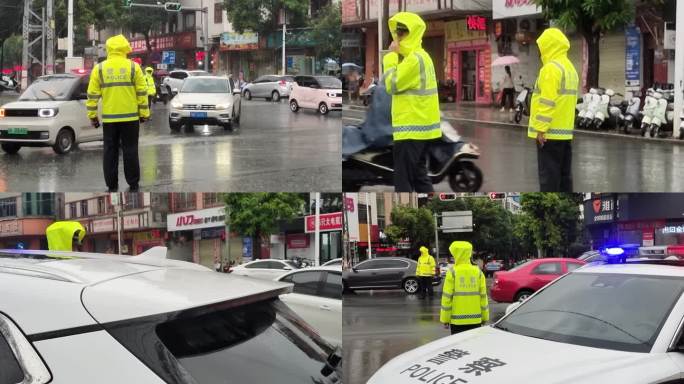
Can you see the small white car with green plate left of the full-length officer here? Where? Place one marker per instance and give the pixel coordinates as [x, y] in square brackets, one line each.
[50, 113]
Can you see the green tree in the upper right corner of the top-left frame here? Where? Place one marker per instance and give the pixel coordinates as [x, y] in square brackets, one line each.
[327, 31]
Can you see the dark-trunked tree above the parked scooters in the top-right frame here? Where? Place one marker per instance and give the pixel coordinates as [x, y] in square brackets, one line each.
[591, 19]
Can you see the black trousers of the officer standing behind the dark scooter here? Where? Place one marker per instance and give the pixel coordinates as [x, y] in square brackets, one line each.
[410, 166]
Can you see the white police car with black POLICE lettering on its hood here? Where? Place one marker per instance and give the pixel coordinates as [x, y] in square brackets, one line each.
[602, 323]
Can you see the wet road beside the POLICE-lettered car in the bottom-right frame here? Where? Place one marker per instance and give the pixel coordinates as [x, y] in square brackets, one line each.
[380, 325]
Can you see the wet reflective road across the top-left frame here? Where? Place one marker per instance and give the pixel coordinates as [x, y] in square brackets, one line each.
[272, 150]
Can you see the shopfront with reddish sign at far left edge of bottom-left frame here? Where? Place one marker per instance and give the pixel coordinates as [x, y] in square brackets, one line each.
[24, 233]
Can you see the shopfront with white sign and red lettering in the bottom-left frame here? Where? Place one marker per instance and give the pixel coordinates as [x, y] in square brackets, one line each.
[200, 236]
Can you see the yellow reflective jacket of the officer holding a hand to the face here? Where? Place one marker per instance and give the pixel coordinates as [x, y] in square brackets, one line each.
[412, 83]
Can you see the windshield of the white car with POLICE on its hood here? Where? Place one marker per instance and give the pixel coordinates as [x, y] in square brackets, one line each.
[610, 311]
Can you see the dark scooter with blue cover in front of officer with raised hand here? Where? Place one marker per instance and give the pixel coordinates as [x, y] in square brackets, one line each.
[367, 157]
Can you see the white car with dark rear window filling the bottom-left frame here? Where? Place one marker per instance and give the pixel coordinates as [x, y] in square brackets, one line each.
[71, 317]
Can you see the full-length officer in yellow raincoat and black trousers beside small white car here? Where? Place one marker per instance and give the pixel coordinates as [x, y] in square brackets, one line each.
[121, 85]
